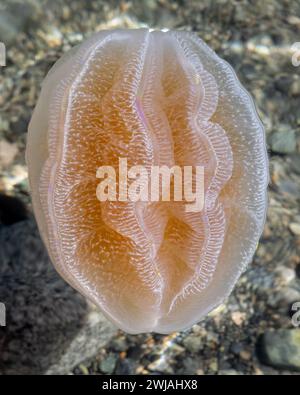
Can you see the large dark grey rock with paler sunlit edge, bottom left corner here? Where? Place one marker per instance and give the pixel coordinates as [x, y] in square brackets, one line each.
[50, 328]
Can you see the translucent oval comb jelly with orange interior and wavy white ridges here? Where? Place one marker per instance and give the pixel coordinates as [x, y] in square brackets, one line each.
[155, 98]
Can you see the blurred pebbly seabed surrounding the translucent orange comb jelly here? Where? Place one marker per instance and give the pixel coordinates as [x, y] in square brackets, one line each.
[52, 329]
